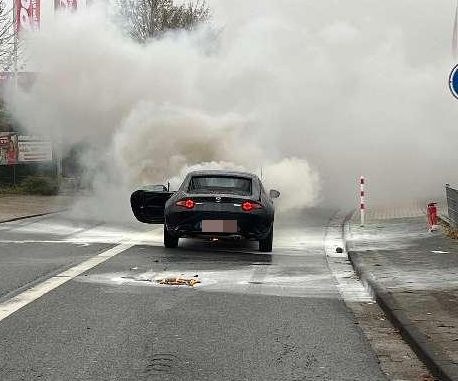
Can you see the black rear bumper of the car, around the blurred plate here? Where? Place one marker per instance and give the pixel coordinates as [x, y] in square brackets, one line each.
[184, 223]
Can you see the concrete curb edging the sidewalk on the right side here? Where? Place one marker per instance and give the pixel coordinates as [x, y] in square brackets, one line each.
[432, 356]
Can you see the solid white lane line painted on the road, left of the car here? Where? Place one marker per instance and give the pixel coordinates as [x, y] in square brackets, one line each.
[14, 304]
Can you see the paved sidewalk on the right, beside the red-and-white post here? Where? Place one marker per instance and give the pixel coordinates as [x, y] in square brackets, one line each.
[414, 275]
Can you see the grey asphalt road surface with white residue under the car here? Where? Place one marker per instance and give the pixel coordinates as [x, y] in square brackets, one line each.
[253, 317]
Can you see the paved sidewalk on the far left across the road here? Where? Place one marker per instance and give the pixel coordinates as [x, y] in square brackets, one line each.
[22, 206]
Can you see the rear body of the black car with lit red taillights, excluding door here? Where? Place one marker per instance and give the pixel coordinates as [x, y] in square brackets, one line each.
[219, 206]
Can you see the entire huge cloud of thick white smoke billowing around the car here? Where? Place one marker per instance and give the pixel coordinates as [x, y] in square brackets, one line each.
[296, 87]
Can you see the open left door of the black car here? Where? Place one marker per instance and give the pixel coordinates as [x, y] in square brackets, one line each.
[148, 203]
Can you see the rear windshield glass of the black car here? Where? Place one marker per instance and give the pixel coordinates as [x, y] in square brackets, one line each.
[215, 184]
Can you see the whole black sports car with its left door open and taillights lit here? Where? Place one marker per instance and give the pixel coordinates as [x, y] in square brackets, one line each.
[210, 204]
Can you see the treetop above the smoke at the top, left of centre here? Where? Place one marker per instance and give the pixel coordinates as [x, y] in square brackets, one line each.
[147, 19]
